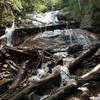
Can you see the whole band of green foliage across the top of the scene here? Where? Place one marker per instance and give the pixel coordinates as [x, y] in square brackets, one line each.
[37, 6]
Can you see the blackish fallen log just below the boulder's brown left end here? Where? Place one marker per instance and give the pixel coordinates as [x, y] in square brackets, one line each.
[22, 55]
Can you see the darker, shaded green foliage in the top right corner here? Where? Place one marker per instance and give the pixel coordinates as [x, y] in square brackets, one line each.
[81, 6]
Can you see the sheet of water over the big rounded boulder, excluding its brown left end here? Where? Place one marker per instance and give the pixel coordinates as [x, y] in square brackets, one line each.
[68, 36]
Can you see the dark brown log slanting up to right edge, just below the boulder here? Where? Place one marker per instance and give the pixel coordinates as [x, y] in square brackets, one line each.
[82, 57]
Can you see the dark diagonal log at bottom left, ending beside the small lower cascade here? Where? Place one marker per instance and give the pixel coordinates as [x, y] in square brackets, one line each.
[34, 86]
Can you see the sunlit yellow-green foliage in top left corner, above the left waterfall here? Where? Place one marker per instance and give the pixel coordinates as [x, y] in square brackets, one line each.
[6, 9]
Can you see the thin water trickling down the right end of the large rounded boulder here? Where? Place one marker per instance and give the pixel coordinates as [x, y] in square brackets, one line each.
[80, 37]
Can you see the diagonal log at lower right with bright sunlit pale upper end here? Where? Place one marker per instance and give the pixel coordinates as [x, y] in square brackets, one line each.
[67, 90]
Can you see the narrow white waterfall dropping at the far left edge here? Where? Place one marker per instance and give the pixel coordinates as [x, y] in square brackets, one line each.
[8, 35]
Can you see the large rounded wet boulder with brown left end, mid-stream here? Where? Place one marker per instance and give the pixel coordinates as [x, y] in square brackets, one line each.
[58, 41]
